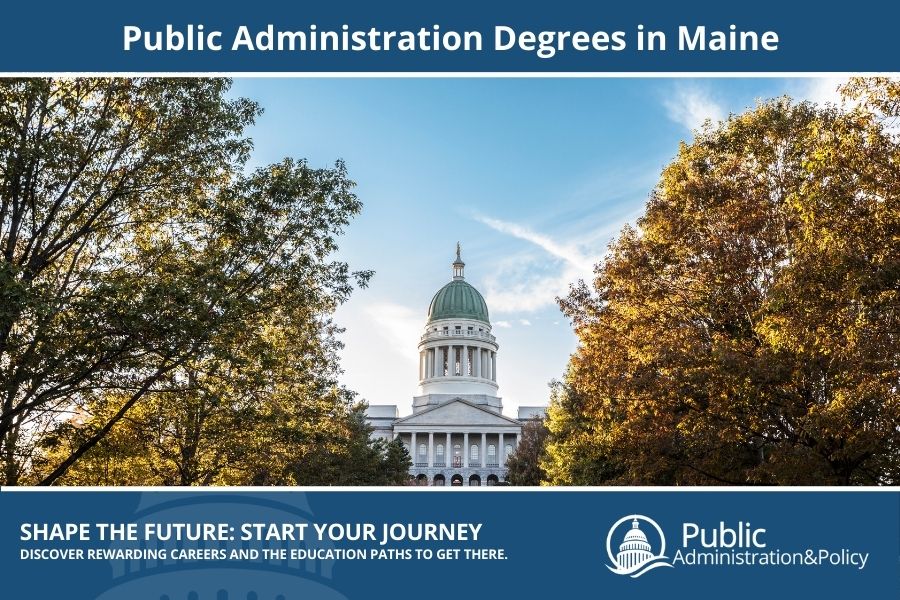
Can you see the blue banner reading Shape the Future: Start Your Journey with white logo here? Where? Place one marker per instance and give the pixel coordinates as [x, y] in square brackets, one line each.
[234, 544]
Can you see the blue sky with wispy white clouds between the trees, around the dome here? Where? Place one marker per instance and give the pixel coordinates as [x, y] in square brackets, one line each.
[533, 177]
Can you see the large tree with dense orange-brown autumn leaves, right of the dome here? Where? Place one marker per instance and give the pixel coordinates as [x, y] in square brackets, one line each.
[746, 332]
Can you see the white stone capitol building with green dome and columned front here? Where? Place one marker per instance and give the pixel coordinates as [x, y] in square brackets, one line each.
[457, 433]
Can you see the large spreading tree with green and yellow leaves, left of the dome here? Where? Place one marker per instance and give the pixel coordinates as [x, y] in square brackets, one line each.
[146, 274]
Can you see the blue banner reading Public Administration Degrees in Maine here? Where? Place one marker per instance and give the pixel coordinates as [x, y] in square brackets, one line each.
[461, 37]
